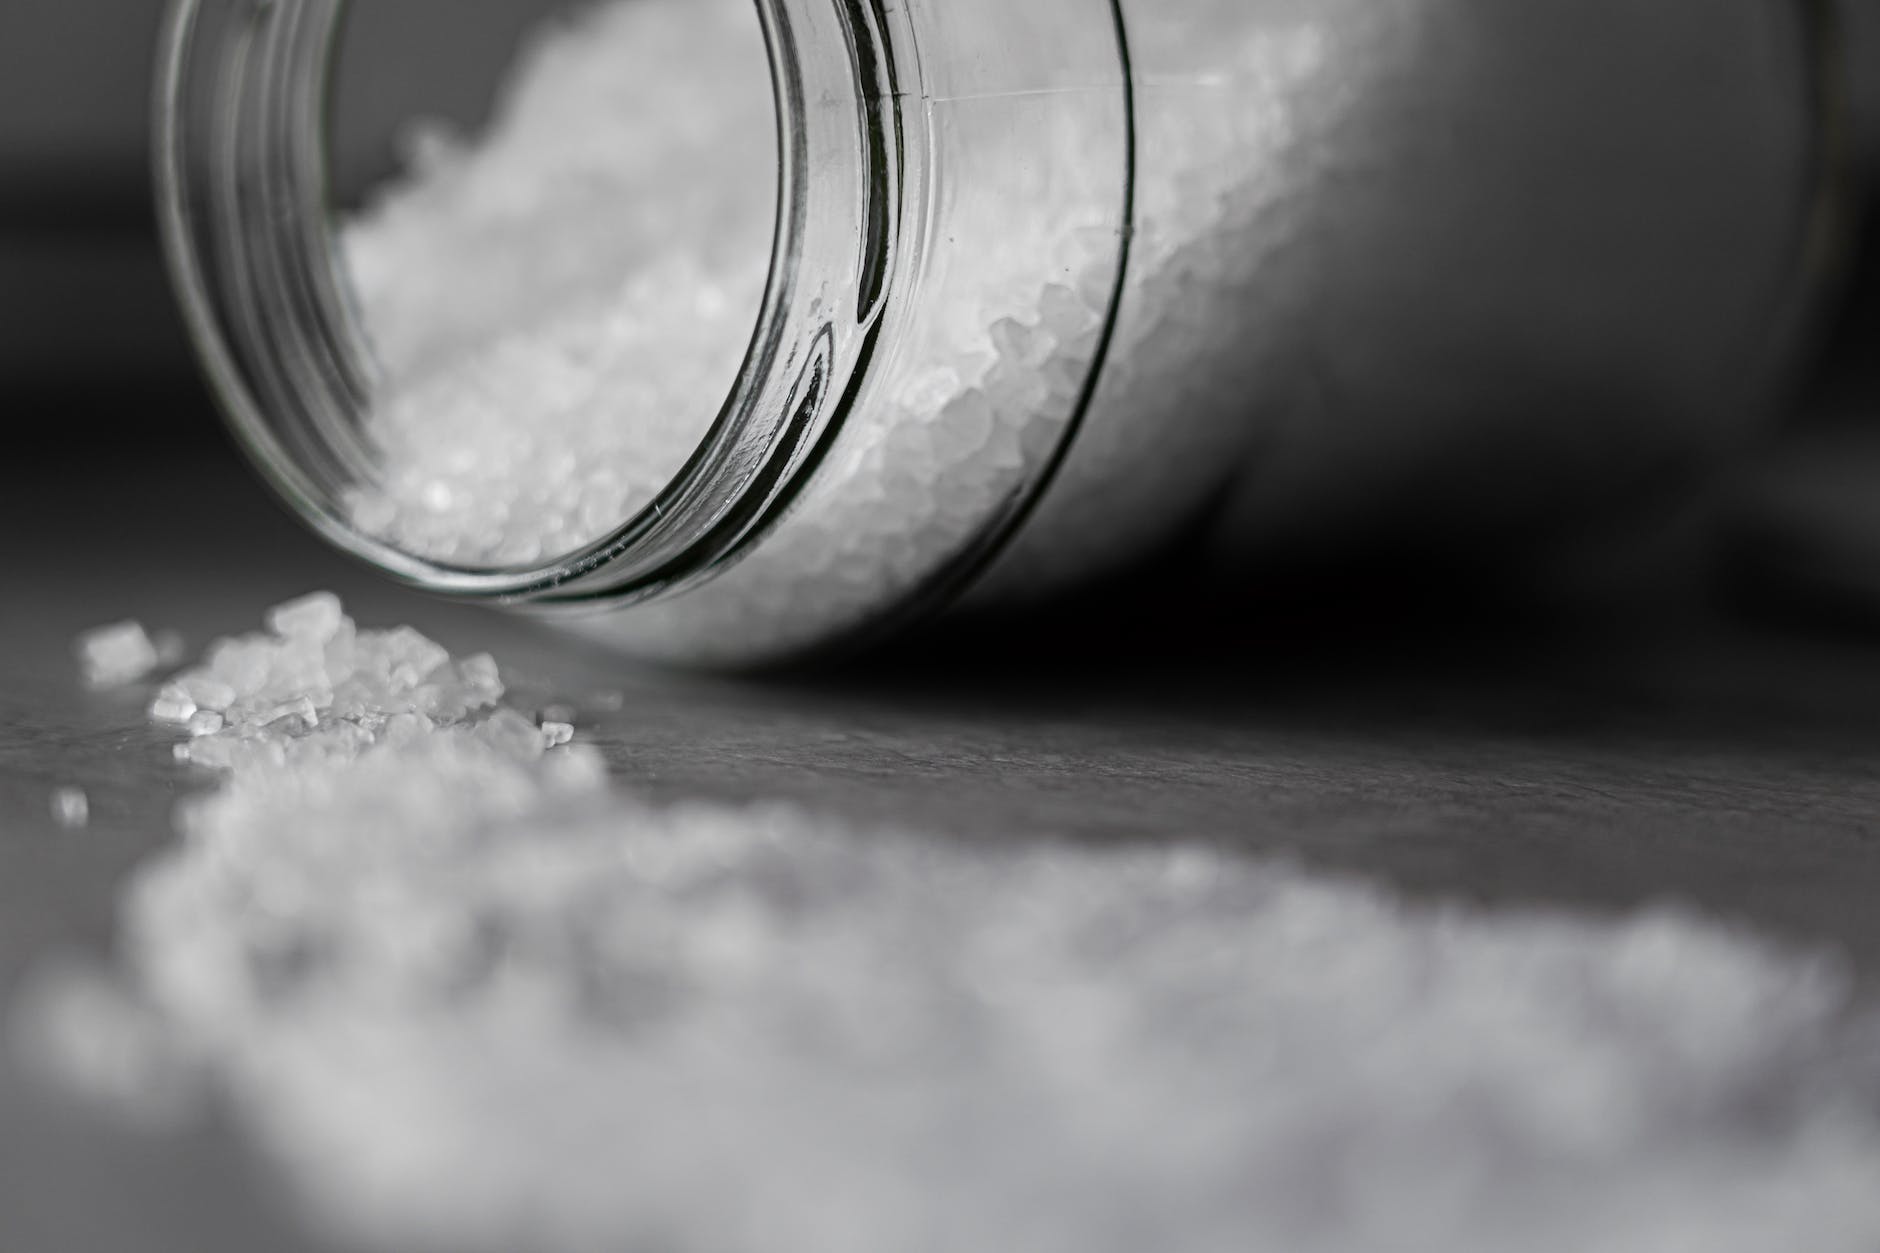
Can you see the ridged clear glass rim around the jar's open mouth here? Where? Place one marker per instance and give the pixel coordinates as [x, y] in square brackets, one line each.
[243, 193]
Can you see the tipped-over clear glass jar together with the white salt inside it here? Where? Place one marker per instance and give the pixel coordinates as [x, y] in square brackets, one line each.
[751, 330]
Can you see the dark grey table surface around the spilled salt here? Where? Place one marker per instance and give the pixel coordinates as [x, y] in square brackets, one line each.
[1680, 761]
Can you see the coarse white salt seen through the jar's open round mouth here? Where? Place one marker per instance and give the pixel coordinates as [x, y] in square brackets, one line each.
[561, 313]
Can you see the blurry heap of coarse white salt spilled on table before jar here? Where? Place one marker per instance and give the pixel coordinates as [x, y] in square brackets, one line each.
[413, 953]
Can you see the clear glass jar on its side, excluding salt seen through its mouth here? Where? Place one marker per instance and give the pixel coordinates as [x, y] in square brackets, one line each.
[1063, 283]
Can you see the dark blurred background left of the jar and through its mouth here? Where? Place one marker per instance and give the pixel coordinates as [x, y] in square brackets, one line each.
[86, 309]
